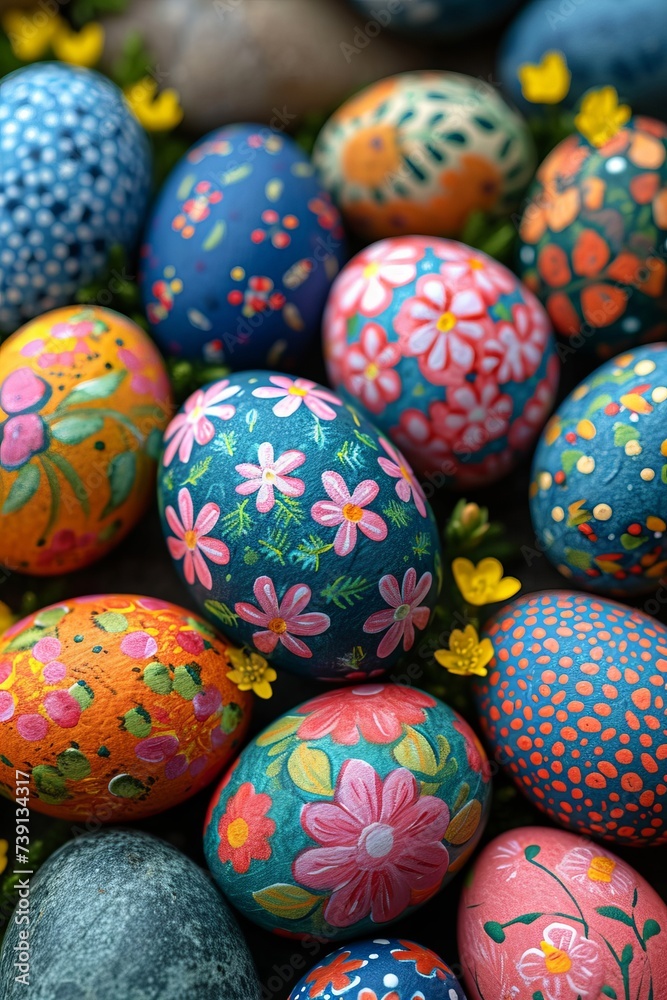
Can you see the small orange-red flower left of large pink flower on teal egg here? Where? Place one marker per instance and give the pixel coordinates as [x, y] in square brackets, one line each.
[245, 829]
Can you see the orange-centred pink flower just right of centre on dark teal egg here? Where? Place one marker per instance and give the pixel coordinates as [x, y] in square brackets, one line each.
[347, 511]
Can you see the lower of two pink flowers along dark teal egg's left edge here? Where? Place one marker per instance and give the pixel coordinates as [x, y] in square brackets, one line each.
[192, 540]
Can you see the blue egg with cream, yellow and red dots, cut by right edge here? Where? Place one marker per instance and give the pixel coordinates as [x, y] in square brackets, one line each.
[597, 496]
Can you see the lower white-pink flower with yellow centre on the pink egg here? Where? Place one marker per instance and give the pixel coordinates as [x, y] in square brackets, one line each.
[566, 966]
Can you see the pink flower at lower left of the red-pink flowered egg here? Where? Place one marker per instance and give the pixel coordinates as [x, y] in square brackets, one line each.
[369, 369]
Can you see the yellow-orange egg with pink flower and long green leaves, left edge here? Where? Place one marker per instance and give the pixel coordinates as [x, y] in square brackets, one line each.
[84, 398]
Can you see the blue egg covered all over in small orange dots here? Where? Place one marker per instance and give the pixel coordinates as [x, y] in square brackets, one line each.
[573, 707]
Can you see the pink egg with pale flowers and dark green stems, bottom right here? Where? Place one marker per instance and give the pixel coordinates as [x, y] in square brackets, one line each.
[547, 915]
